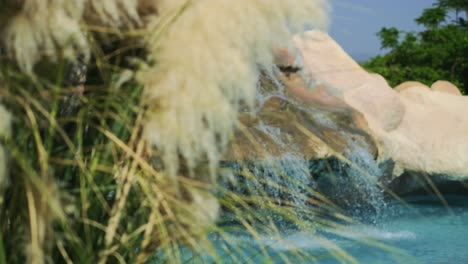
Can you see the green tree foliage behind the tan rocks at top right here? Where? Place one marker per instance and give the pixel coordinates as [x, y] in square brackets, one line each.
[439, 52]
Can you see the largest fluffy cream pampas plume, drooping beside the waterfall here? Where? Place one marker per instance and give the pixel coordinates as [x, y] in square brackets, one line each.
[207, 66]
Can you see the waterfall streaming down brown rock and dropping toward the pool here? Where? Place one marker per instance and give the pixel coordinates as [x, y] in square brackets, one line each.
[349, 179]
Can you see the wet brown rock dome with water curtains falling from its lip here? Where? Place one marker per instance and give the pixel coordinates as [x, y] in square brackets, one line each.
[296, 147]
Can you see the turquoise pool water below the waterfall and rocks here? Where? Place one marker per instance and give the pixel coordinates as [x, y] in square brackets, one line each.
[421, 231]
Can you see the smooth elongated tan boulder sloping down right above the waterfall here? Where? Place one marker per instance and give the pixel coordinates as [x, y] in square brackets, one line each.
[370, 94]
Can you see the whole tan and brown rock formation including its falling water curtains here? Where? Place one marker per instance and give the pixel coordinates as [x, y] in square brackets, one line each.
[350, 135]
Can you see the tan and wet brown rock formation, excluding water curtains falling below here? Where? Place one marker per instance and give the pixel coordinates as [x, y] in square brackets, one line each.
[419, 130]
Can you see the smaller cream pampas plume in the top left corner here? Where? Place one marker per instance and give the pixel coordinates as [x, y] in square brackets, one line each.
[43, 27]
